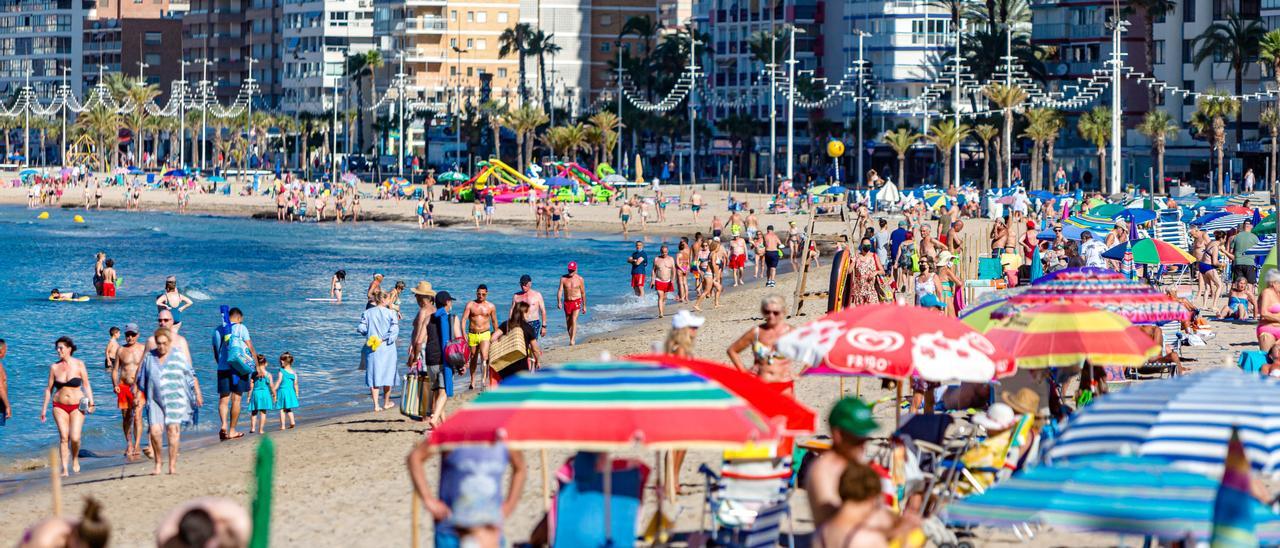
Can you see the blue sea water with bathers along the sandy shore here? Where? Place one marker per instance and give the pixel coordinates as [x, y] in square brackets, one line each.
[269, 271]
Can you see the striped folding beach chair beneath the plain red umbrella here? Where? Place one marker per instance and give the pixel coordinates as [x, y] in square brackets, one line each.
[748, 501]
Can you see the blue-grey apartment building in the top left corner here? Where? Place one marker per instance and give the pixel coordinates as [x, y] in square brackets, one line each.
[42, 42]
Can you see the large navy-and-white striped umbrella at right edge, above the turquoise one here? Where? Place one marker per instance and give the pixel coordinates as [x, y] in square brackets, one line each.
[1187, 421]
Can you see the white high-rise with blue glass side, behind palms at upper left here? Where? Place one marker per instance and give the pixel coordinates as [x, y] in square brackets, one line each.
[319, 36]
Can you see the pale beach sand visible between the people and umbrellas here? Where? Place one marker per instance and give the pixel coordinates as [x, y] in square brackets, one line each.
[342, 482]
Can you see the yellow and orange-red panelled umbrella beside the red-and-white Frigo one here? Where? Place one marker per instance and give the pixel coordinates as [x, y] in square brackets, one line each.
[1069, 335]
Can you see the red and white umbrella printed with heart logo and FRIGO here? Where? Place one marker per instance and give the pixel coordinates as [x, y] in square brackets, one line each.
[895, 342]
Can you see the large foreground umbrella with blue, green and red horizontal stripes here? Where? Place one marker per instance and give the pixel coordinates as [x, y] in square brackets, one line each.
[606, 407]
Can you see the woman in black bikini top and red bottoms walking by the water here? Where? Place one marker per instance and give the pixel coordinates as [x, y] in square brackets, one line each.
[68, 387]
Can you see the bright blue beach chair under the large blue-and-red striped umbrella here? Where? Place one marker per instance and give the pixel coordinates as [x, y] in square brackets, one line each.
[580, 505]
